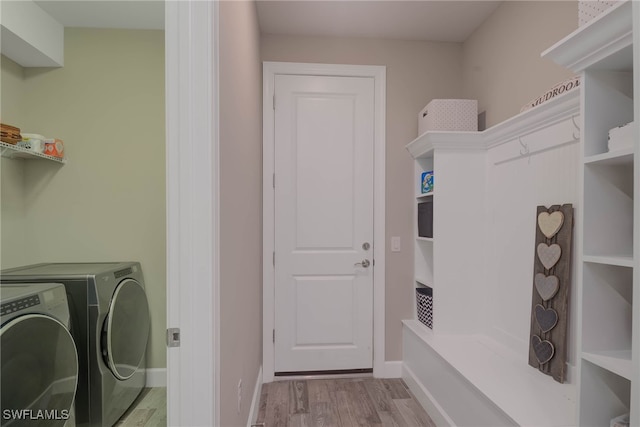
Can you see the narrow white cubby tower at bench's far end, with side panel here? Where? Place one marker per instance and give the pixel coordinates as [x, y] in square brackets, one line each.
[458, 176]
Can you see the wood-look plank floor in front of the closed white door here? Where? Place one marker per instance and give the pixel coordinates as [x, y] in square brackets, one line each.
[356, 402]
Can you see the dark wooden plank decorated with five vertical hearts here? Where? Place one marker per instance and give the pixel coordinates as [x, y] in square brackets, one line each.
[551, 286]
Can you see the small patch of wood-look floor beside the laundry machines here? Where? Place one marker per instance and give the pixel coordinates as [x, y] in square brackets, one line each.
[149, 409]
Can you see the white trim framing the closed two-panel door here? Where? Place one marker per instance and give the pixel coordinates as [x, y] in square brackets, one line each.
[378, 73]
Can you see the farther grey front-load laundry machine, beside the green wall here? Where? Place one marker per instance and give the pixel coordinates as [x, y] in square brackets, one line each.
[110, 324]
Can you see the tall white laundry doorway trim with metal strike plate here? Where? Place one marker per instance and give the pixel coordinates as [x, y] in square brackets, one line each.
[191, 64]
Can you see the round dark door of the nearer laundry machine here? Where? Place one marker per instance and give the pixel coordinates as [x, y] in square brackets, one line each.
[39, 371]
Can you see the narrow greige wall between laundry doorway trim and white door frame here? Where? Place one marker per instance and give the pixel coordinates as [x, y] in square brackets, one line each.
[240, 208]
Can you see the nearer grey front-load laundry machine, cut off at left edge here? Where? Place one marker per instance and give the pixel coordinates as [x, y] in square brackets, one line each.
[38, 356]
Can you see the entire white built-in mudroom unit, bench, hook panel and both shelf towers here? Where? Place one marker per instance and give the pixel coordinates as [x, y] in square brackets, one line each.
[471, 369]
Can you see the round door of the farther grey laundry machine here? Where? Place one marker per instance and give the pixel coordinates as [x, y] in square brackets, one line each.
[126, 329]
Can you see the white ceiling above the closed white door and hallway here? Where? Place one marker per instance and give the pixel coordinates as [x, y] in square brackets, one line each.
[449, 20]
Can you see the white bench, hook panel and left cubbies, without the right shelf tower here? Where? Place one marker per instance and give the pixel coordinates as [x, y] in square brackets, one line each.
[471, 368]
